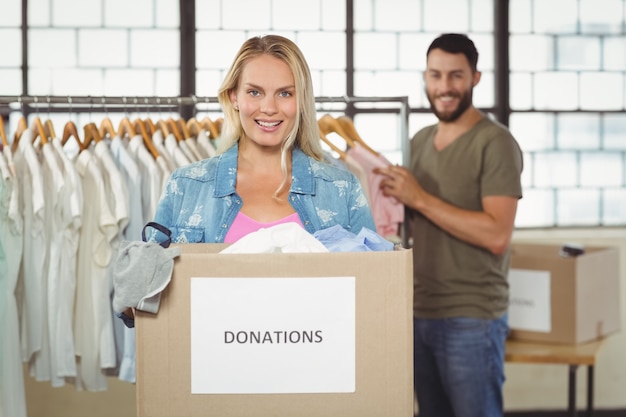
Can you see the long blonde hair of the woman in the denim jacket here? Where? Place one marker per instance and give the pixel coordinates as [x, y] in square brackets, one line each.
[305, 133]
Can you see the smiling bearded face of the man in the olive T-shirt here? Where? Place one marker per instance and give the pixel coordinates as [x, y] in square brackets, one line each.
[449, 82]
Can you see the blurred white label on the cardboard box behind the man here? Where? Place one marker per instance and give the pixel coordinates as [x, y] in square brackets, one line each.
[529, 307]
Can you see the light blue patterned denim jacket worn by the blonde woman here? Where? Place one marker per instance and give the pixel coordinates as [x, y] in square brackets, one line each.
[199, 202]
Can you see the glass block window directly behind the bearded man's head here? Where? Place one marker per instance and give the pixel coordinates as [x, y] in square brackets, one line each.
[390, 43]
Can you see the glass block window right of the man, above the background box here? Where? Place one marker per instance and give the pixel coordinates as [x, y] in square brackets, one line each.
[568, 98]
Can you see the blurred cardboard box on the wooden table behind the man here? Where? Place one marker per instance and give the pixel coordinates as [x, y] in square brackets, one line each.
[560, 299]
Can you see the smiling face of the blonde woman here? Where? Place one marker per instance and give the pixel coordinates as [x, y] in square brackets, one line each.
[266, 99]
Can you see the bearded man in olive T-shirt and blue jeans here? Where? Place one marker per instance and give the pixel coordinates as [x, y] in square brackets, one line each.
[461, 194]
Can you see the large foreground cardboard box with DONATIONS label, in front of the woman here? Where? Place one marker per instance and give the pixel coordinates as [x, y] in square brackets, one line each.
[347, 305]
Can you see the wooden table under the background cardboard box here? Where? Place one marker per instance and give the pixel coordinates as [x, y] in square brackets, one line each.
[571, 355]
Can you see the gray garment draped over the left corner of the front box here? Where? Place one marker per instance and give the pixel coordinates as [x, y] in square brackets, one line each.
[141, 272]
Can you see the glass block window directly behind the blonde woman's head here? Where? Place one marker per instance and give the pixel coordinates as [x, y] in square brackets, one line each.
[317, 26]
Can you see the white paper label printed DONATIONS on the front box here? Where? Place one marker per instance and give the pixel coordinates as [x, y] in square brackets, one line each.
[273, 335]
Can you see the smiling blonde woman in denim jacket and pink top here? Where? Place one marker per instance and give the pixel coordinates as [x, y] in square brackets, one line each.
[269, 169]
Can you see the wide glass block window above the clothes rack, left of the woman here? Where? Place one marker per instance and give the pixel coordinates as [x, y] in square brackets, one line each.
[103, 47]
